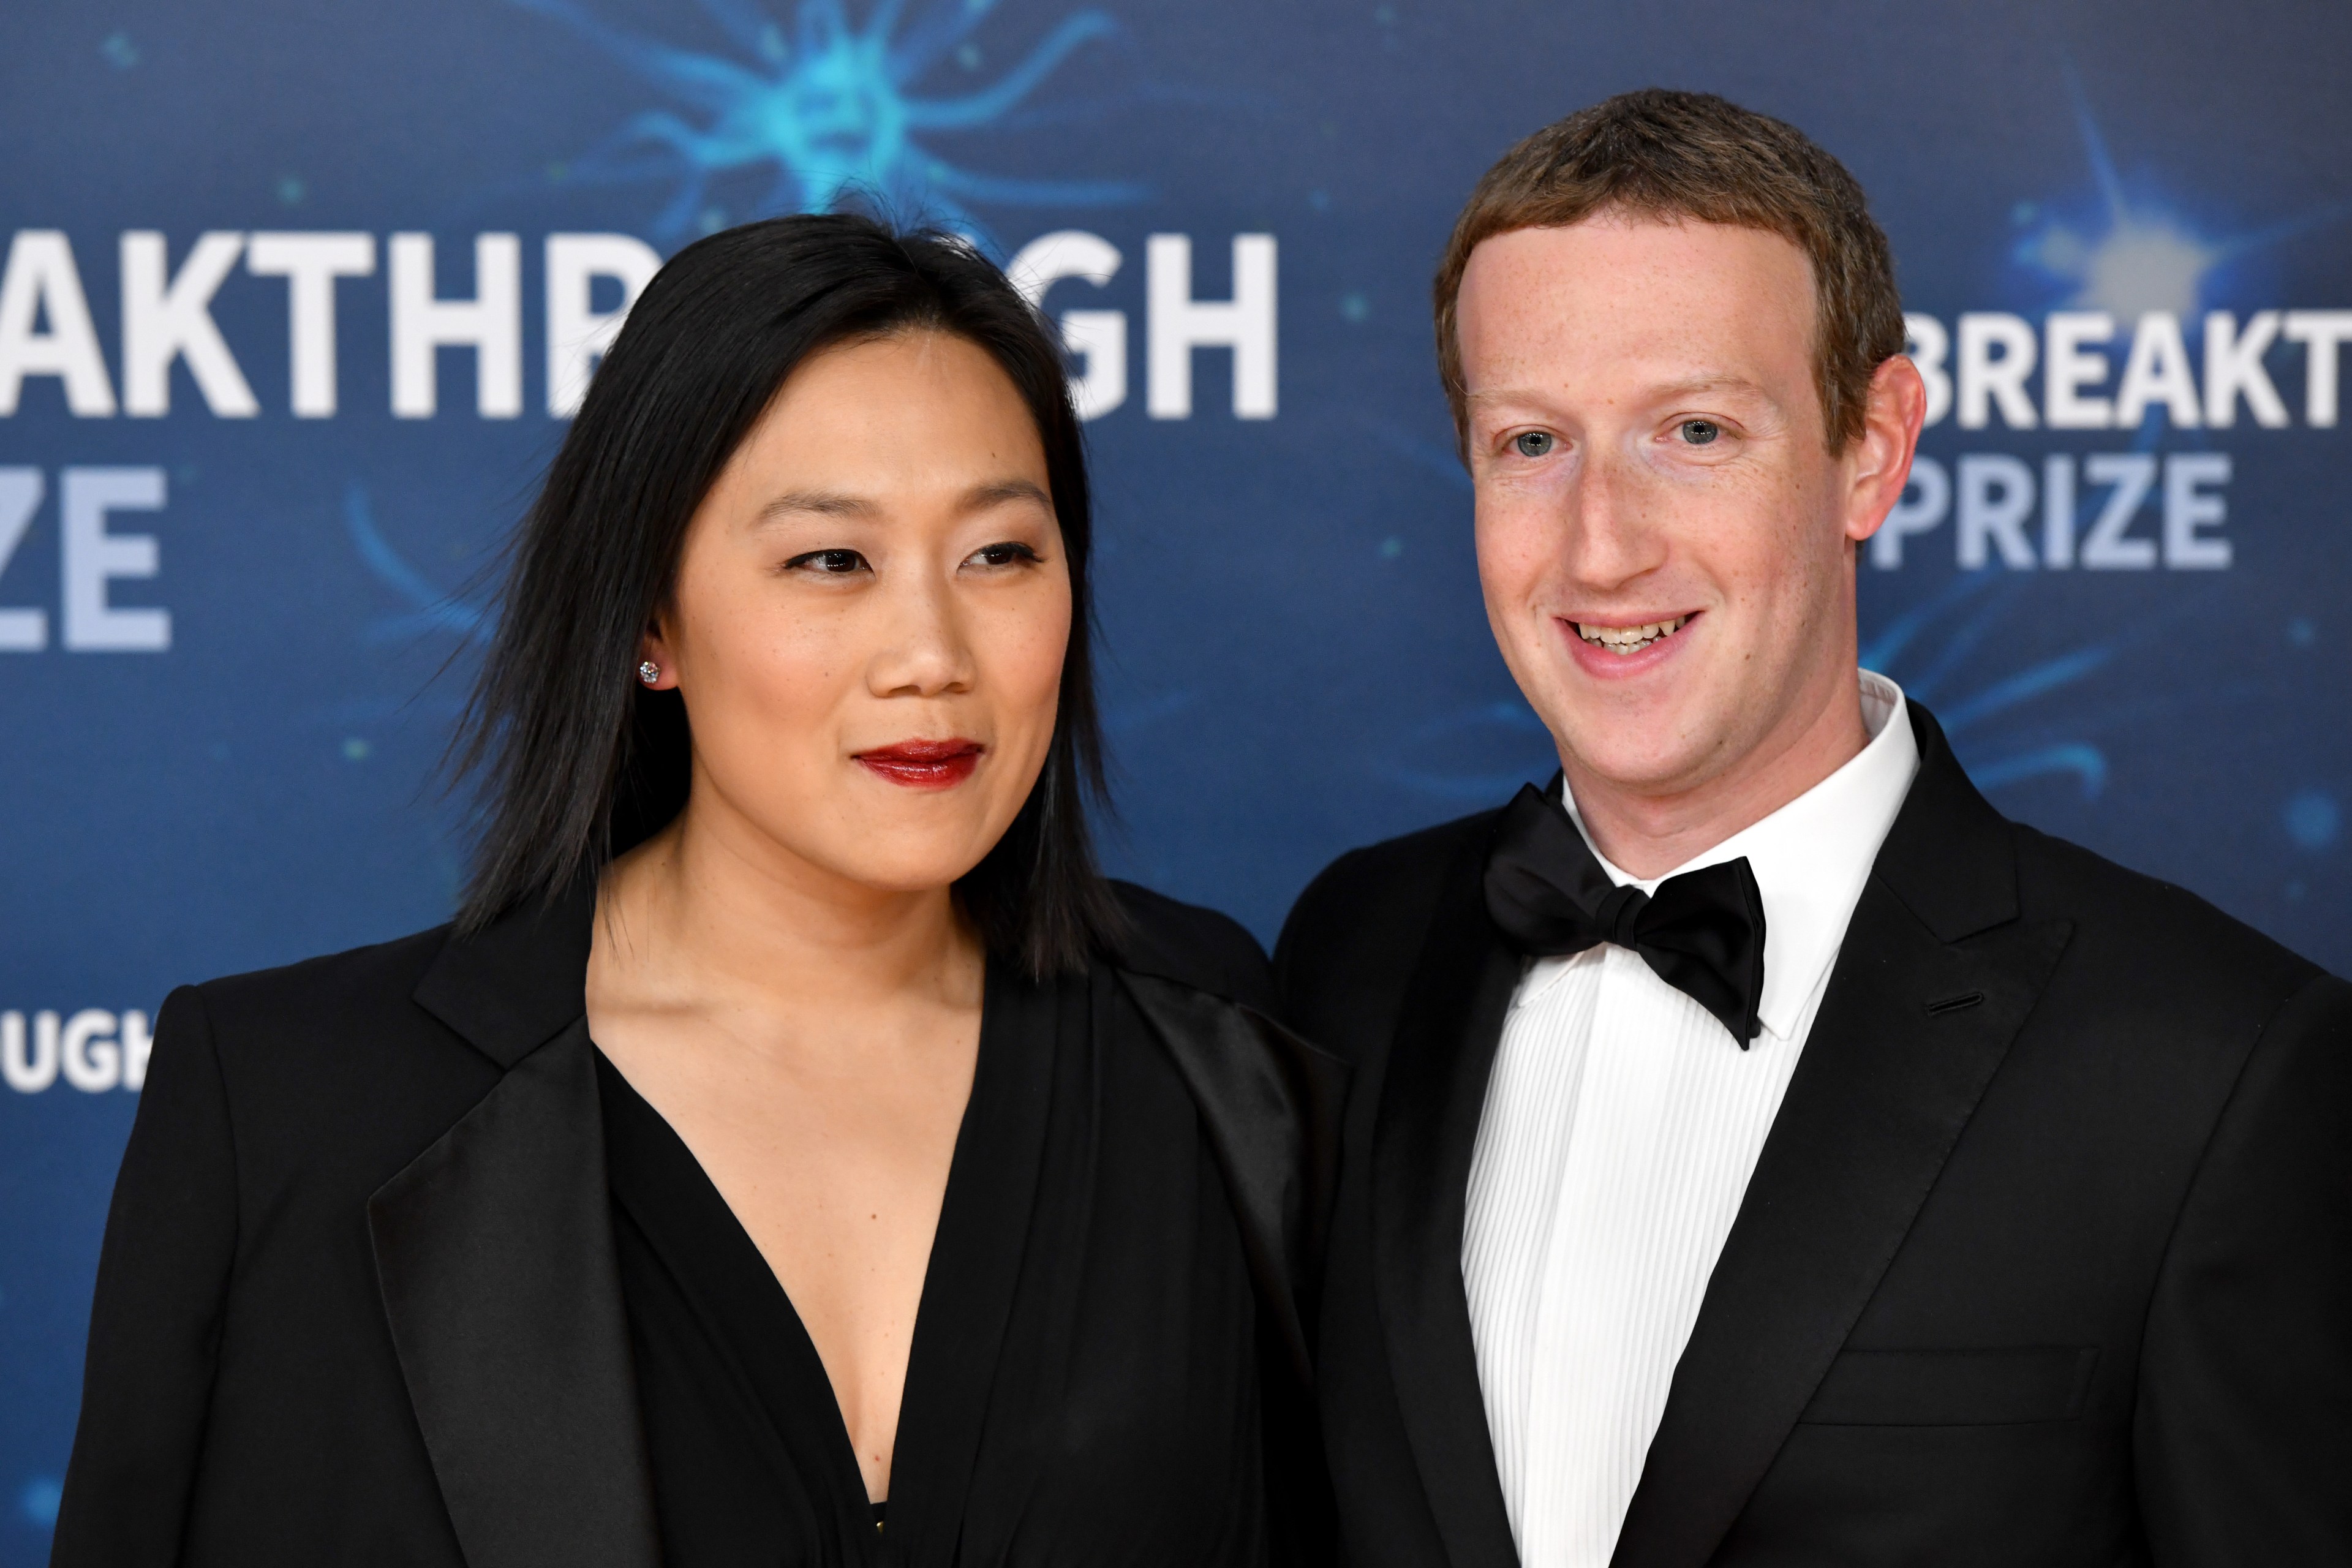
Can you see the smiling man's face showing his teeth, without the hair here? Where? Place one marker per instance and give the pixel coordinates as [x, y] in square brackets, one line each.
[1664, 535]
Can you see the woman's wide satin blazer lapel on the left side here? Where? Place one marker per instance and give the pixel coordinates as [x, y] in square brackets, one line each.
[497, 1268]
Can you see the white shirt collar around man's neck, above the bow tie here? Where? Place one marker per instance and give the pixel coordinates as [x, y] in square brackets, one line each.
[1815, 855]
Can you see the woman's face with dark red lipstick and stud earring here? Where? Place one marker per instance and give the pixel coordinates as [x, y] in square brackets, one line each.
[871, 617]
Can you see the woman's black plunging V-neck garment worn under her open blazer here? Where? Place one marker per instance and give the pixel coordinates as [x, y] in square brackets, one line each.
[1083, 1383]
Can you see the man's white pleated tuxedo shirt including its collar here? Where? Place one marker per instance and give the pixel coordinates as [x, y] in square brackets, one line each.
[1619, 1134]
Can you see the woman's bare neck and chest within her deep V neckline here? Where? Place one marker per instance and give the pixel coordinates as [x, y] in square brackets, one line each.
[815, 1043]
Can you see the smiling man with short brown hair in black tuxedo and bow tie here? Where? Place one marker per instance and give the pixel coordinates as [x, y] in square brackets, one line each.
[1763, 1151]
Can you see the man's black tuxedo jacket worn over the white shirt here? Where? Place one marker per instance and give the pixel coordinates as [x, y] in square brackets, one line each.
[2045, 1261]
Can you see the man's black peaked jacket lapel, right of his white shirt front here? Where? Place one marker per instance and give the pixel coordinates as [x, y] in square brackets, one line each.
[1876, 1108]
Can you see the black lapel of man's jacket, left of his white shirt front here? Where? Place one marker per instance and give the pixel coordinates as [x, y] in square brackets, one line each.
[1424, 1137]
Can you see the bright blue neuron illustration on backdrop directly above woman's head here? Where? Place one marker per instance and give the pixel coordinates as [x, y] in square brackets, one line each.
[827, 114]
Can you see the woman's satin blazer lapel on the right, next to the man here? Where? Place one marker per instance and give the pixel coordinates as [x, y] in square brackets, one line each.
[1271, 1106]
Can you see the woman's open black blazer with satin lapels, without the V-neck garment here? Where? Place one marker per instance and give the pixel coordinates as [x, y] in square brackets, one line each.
[359, 1296]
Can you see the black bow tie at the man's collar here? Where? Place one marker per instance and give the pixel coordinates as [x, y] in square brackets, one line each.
[1702, 932]
